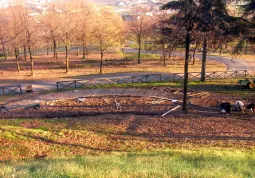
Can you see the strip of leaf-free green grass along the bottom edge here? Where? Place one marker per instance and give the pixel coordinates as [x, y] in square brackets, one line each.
[171, 163]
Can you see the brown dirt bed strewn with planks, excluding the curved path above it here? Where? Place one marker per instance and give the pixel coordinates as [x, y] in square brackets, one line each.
[199, 106]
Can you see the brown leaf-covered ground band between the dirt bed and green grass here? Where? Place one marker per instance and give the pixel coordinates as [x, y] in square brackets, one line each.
[41, 138]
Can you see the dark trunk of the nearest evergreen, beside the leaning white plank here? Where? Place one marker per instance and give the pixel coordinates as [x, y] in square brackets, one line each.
[186, 74]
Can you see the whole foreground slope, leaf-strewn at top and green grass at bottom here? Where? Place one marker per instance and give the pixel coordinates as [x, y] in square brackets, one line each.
[104, 147]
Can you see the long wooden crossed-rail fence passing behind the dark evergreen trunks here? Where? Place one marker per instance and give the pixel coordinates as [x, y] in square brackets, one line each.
[194, 76]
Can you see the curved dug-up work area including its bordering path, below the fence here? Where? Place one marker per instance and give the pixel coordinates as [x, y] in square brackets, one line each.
[158, 101]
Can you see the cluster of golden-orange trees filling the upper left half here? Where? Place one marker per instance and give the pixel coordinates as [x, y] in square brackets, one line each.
[66, 24]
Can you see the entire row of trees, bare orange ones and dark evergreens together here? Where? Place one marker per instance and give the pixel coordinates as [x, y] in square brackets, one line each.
[198, 22]
